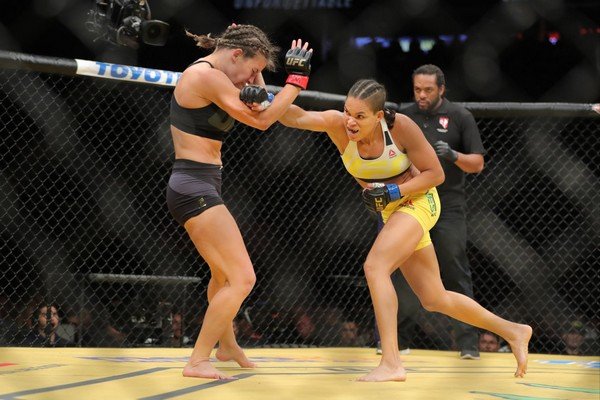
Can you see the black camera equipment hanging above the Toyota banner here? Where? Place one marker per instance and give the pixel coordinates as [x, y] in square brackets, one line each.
[126, 22]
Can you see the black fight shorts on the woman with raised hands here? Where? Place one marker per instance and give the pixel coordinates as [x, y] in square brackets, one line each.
[193, 188]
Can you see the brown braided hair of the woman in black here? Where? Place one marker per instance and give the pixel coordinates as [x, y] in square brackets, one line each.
[250, 39]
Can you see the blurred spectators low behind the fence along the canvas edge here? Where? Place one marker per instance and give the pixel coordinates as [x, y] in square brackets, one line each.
[40, 323]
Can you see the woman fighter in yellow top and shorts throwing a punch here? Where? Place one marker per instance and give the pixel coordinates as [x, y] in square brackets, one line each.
[398, 169]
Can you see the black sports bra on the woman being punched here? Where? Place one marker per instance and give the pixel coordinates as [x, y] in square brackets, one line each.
[209, 121]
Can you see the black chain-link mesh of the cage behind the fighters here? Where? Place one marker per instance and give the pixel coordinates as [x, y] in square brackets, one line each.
[85, 164]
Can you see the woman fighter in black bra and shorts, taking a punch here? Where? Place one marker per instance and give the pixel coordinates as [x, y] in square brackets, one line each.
[204, 106]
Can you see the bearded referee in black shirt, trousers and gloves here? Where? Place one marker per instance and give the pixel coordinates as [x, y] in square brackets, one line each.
[453, 133]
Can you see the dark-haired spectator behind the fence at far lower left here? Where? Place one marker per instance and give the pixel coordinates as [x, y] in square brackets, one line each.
[45, 320]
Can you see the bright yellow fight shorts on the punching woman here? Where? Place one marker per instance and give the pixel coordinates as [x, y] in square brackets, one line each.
[425, 207]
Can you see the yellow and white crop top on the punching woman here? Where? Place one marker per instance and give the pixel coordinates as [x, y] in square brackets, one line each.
[391, 163]
